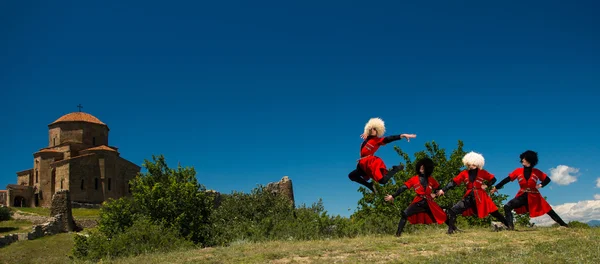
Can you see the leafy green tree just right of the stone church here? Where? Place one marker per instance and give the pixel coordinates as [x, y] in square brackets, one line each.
[166, 196]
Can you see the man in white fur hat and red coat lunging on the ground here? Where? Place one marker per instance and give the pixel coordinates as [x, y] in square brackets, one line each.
[476, 201]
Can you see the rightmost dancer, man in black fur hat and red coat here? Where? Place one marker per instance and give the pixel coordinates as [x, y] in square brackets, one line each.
[528, 199]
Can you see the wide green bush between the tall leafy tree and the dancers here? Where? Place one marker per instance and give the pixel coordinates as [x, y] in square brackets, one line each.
[261, 215]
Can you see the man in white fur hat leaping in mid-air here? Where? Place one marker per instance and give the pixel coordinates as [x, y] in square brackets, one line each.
[370, 166]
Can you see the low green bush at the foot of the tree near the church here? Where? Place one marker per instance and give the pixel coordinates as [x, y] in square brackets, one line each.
[143, 236]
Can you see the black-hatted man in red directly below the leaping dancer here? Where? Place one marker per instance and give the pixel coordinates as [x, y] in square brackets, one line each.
[423, 209]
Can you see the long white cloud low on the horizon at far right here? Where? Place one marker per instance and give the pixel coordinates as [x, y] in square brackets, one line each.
[582, 211]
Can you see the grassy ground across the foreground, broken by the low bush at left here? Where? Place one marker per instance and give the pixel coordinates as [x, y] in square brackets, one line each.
[541, 245]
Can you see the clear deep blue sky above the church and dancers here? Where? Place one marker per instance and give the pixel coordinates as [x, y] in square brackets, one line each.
[249, 91]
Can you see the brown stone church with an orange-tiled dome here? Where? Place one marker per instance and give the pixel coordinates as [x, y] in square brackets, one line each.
[78, 158]
